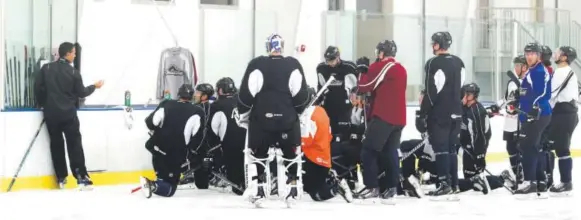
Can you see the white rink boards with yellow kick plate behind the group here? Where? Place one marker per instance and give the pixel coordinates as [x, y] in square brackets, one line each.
[116, 154]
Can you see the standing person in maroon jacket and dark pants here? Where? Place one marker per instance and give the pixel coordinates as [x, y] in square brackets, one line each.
[386, 82]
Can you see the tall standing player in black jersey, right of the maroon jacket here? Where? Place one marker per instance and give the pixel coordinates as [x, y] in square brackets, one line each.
[441, 108]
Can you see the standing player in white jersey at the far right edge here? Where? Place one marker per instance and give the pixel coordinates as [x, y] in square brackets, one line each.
[564, 120]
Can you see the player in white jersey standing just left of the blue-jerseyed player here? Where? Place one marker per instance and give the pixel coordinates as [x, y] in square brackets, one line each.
[511, 123]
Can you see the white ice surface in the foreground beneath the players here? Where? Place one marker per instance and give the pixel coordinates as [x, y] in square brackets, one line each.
[117, 203]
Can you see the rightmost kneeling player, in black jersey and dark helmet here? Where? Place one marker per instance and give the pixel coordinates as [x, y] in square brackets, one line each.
[474, 138]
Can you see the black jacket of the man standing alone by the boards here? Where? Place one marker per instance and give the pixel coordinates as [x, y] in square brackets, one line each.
[58, 87]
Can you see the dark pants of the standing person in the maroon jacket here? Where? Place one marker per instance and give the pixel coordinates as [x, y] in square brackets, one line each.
[379, 154]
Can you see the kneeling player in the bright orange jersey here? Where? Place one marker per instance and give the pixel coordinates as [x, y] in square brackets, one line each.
[319, 180]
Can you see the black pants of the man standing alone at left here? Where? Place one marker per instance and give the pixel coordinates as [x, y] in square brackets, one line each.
[70, 129]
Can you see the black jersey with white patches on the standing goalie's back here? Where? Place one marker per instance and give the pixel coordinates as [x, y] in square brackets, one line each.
[275, 89]
